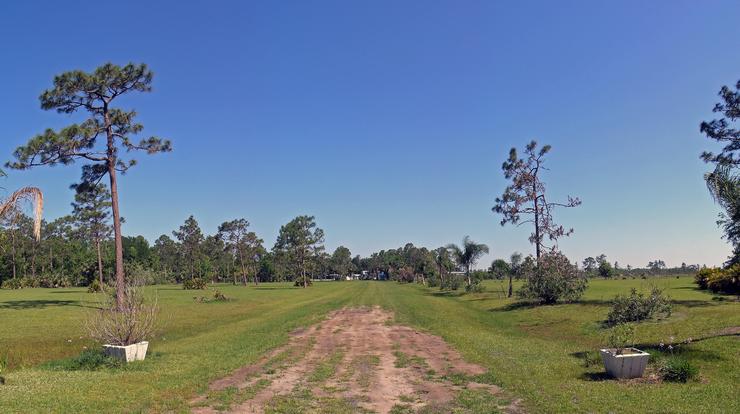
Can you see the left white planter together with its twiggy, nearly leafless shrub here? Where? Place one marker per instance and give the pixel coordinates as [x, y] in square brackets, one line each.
[123, 330]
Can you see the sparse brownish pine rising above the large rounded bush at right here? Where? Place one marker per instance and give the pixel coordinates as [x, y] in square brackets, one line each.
[526, 196]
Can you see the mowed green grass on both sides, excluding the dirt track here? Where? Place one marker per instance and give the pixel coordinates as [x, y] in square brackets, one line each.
[535, 353]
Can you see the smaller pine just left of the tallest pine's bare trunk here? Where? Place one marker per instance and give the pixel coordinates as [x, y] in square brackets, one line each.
[91, 212]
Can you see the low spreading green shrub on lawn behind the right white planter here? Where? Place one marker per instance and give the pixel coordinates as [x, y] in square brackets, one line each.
[638, 307]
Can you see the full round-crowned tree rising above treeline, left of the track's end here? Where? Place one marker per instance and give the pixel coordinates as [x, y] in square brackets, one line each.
[300, 243]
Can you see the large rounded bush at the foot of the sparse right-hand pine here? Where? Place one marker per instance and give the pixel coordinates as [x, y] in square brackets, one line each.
[553, 278]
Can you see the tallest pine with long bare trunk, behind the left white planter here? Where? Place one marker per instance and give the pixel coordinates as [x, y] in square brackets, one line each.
[94, 93]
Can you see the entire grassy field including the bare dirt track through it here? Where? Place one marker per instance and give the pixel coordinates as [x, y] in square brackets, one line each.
[351, 347]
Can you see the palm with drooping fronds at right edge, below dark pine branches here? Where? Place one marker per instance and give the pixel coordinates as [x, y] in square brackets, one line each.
[724, 185]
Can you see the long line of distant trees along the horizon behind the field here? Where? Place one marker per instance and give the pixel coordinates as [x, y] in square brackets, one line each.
[67, 255]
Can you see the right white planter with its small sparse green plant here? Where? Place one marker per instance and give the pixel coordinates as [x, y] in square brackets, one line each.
[621, 359]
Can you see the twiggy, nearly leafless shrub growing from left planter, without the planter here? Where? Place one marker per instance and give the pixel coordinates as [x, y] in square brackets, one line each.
[133, 323]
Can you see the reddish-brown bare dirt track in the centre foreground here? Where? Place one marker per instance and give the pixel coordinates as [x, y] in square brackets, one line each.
[361, 359]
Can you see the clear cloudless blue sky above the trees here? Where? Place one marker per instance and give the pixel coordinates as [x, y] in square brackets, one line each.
[389, 120]
